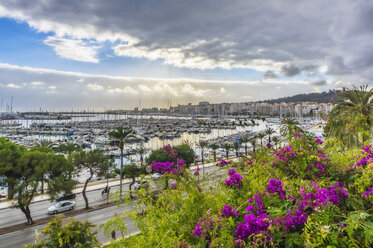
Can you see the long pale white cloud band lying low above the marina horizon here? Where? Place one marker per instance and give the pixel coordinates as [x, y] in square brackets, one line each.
[63, 91]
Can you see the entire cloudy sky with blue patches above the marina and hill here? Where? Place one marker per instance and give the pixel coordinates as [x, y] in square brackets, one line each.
[100, 54]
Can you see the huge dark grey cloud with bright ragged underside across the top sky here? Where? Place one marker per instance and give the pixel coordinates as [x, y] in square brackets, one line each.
[288, 37]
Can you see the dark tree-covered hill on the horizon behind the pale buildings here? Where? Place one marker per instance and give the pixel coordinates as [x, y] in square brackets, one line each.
[324, 97]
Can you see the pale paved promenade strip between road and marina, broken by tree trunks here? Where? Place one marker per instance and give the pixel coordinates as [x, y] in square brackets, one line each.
[98, 185]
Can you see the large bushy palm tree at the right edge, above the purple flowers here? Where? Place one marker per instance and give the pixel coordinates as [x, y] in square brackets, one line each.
[353, 112]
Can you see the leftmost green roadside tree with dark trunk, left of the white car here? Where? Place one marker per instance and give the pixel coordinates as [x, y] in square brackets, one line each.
[29, 169]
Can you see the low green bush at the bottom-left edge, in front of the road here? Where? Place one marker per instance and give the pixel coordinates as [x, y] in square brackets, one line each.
[73, 234]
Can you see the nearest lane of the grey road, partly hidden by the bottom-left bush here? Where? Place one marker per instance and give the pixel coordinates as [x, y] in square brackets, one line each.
[17, 239]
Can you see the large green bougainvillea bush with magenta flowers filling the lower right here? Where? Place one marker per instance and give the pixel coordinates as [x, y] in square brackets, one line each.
[299, 195]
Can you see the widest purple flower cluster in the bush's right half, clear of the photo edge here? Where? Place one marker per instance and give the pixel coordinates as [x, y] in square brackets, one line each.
[320, 197]
